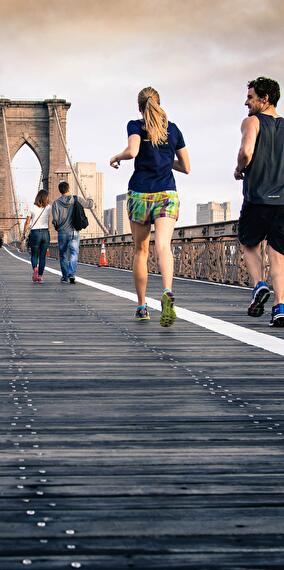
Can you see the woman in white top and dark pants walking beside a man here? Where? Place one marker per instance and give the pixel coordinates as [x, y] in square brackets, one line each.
[39, 238]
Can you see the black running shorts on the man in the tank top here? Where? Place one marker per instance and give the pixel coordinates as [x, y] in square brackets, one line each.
[260, 222]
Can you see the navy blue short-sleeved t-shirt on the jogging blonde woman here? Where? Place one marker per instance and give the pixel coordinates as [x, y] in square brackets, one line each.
[153, 164]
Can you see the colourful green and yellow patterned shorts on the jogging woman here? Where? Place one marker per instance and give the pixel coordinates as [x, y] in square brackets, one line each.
[144, 208]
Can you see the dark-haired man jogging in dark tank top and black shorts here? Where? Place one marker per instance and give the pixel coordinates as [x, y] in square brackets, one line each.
[261, 167]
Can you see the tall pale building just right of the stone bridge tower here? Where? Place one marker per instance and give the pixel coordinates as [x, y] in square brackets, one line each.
[93, 187]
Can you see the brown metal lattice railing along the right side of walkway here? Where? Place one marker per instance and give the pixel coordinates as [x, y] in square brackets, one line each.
[211, 252]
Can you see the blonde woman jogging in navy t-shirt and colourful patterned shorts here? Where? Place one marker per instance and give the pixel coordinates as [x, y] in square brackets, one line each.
[154, 142]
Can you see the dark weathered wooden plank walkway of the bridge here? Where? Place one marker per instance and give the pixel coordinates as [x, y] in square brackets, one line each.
[130, 446]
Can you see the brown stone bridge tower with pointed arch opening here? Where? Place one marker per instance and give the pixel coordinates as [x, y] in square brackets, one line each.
[32, 123]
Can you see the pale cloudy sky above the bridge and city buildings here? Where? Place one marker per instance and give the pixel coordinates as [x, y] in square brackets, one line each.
[97, 54]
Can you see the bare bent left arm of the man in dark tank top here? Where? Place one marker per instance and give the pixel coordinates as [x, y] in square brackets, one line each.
[250, 130]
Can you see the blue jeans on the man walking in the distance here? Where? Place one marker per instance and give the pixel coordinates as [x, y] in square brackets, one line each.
[68, 245]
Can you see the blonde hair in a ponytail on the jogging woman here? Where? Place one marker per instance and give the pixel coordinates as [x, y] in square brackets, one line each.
[156, 122]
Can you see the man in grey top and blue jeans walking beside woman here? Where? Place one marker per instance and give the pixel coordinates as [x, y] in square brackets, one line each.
[68, 236]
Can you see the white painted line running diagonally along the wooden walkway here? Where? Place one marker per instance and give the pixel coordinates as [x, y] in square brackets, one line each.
[236, 332]
